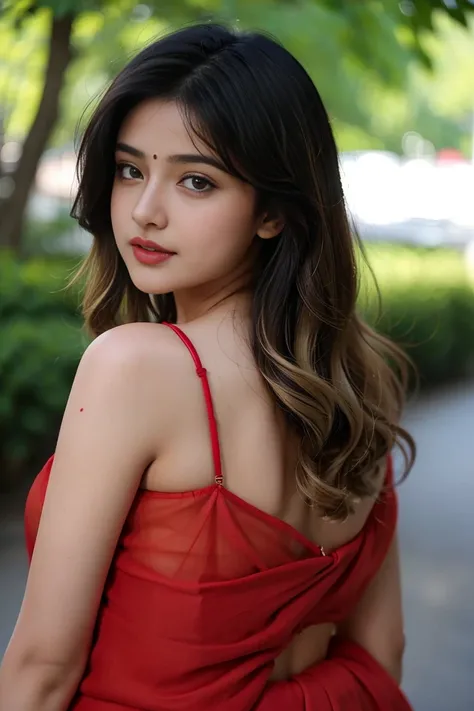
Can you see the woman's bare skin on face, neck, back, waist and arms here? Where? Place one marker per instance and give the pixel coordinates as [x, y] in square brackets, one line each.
[136, 418]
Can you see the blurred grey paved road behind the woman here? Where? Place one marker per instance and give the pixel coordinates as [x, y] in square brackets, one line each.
[437, 539]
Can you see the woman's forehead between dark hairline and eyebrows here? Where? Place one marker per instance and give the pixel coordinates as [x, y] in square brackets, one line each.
[155, 123]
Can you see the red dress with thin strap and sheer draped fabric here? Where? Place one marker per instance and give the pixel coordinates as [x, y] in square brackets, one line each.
[205, 591]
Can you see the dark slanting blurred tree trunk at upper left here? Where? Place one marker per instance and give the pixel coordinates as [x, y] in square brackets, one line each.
[13, 209]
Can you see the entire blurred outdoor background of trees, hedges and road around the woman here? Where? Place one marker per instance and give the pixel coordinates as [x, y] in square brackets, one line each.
[398, 81]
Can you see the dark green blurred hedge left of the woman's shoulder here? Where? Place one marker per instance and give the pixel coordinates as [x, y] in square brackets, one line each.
[41, 343]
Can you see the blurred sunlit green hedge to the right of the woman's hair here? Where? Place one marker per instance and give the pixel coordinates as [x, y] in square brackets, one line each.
[427, 307]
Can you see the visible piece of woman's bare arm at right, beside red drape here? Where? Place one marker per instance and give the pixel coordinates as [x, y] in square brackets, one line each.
[377, 621]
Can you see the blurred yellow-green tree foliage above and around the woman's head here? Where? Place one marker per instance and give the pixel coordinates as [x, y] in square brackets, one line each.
[362, 56]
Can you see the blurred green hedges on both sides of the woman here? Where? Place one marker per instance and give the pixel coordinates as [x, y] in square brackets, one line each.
[427, 306]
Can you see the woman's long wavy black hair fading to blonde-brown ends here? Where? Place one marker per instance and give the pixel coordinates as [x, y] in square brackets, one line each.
[340, 385]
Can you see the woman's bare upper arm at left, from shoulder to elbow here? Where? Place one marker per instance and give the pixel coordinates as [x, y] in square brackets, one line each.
[103, 449]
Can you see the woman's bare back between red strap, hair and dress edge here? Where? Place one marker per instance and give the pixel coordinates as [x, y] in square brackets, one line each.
[258, 450]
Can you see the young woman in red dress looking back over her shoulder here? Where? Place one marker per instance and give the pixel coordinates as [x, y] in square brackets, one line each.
[216, 529]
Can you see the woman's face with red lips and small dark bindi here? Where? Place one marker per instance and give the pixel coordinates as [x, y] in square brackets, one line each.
[184, 202]
